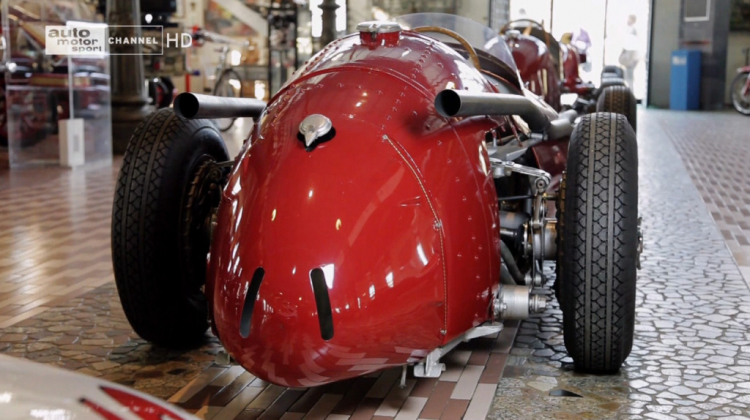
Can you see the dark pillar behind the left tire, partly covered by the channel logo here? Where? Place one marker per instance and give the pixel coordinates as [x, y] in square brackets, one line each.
[130, 102]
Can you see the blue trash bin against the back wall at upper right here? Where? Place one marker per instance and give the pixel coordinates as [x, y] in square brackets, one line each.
[685, 88]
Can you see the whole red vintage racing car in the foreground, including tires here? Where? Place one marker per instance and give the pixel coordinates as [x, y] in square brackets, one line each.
[397, 196]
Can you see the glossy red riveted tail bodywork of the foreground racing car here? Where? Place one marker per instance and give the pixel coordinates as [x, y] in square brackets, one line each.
[398, 209]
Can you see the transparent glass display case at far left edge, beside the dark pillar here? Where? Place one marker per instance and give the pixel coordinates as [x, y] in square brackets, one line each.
[40, 90]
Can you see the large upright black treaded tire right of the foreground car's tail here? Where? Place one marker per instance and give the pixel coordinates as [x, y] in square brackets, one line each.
[600, 240]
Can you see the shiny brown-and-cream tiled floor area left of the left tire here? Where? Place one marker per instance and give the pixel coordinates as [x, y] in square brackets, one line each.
[54, 238]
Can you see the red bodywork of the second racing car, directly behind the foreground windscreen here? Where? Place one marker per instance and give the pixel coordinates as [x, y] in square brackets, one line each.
[536, 67]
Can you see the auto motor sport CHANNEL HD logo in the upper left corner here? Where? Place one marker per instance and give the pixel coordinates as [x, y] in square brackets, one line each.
[89, 39]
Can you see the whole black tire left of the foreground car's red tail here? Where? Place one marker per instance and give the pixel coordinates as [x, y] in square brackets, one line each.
[160, 289]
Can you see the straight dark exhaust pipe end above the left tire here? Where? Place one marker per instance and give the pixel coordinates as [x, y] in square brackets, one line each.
[193, 105]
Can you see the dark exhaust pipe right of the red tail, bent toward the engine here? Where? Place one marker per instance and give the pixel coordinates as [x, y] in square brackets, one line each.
[460, 103]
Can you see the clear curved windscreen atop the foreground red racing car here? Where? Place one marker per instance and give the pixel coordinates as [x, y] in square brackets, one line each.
[481, 37]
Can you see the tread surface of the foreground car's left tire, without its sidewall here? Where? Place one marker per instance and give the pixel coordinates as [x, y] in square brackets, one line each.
[145, 273]
